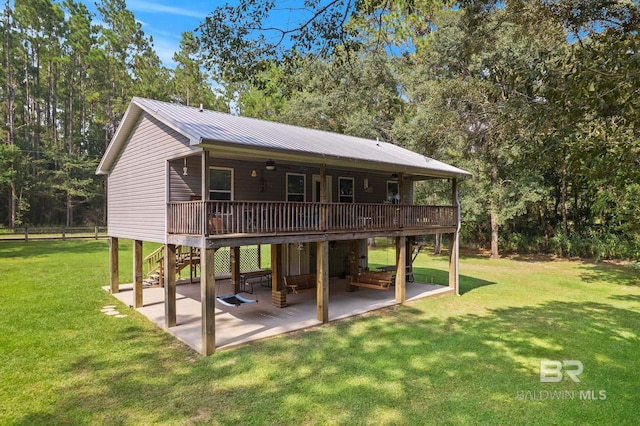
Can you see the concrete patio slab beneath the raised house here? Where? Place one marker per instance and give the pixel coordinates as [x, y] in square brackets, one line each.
[253, 321]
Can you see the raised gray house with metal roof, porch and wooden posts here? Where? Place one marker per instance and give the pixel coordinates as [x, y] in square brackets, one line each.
[190, 178]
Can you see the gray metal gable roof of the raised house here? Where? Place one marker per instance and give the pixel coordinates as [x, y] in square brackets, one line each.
[210, 128]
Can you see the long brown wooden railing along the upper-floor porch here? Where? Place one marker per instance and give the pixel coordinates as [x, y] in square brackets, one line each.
[276, 217]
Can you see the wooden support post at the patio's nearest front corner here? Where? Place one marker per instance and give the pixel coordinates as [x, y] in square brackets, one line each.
[208, 301]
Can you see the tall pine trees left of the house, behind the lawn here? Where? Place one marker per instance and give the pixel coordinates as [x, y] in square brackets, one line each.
[67, 78]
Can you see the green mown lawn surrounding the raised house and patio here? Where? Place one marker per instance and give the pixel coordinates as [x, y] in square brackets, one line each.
[444, 360]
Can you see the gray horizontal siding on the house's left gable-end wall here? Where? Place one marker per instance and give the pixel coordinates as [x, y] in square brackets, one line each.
[136, 196]
